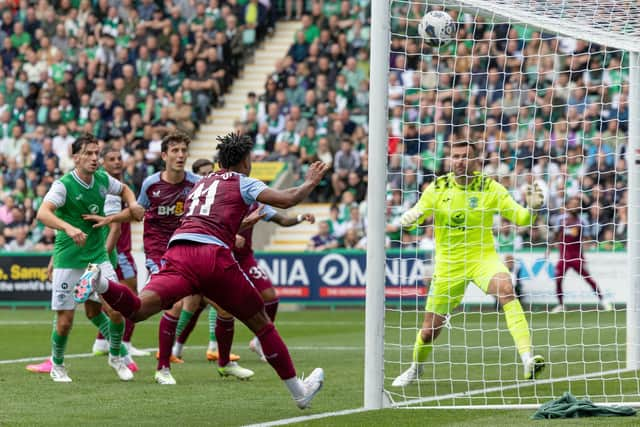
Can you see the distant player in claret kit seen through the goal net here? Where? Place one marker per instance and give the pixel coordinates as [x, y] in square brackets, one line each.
[569, 237]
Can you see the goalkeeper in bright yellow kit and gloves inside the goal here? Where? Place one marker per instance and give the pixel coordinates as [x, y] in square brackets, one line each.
[463, 204]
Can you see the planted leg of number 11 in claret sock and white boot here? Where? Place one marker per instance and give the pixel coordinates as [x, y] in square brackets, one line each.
[232, 290]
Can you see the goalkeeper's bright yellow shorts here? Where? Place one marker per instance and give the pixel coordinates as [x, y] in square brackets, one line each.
[451, 279]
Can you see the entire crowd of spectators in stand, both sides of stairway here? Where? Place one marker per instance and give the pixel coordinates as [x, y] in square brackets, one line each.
[543, 108]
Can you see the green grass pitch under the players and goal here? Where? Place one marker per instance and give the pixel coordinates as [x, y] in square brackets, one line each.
[476, 347]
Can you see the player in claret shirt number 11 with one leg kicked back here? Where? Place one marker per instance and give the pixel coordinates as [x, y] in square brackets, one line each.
[200, 258]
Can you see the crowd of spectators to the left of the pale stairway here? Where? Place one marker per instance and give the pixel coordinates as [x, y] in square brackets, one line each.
[128, 71]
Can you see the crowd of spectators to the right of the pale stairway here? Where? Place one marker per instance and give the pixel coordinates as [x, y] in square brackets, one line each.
[540, 108]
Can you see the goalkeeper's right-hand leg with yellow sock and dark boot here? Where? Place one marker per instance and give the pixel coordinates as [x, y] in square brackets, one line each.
[501, 287]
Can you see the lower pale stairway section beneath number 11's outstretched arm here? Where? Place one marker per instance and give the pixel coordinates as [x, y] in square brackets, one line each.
[296, 238]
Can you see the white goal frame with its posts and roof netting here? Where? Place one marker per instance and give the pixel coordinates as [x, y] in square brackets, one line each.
[613, 24]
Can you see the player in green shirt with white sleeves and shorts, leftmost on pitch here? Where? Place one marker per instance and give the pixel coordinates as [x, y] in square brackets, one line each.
[81, 192]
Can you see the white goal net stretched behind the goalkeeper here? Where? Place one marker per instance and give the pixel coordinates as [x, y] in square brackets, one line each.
[543, 90]
